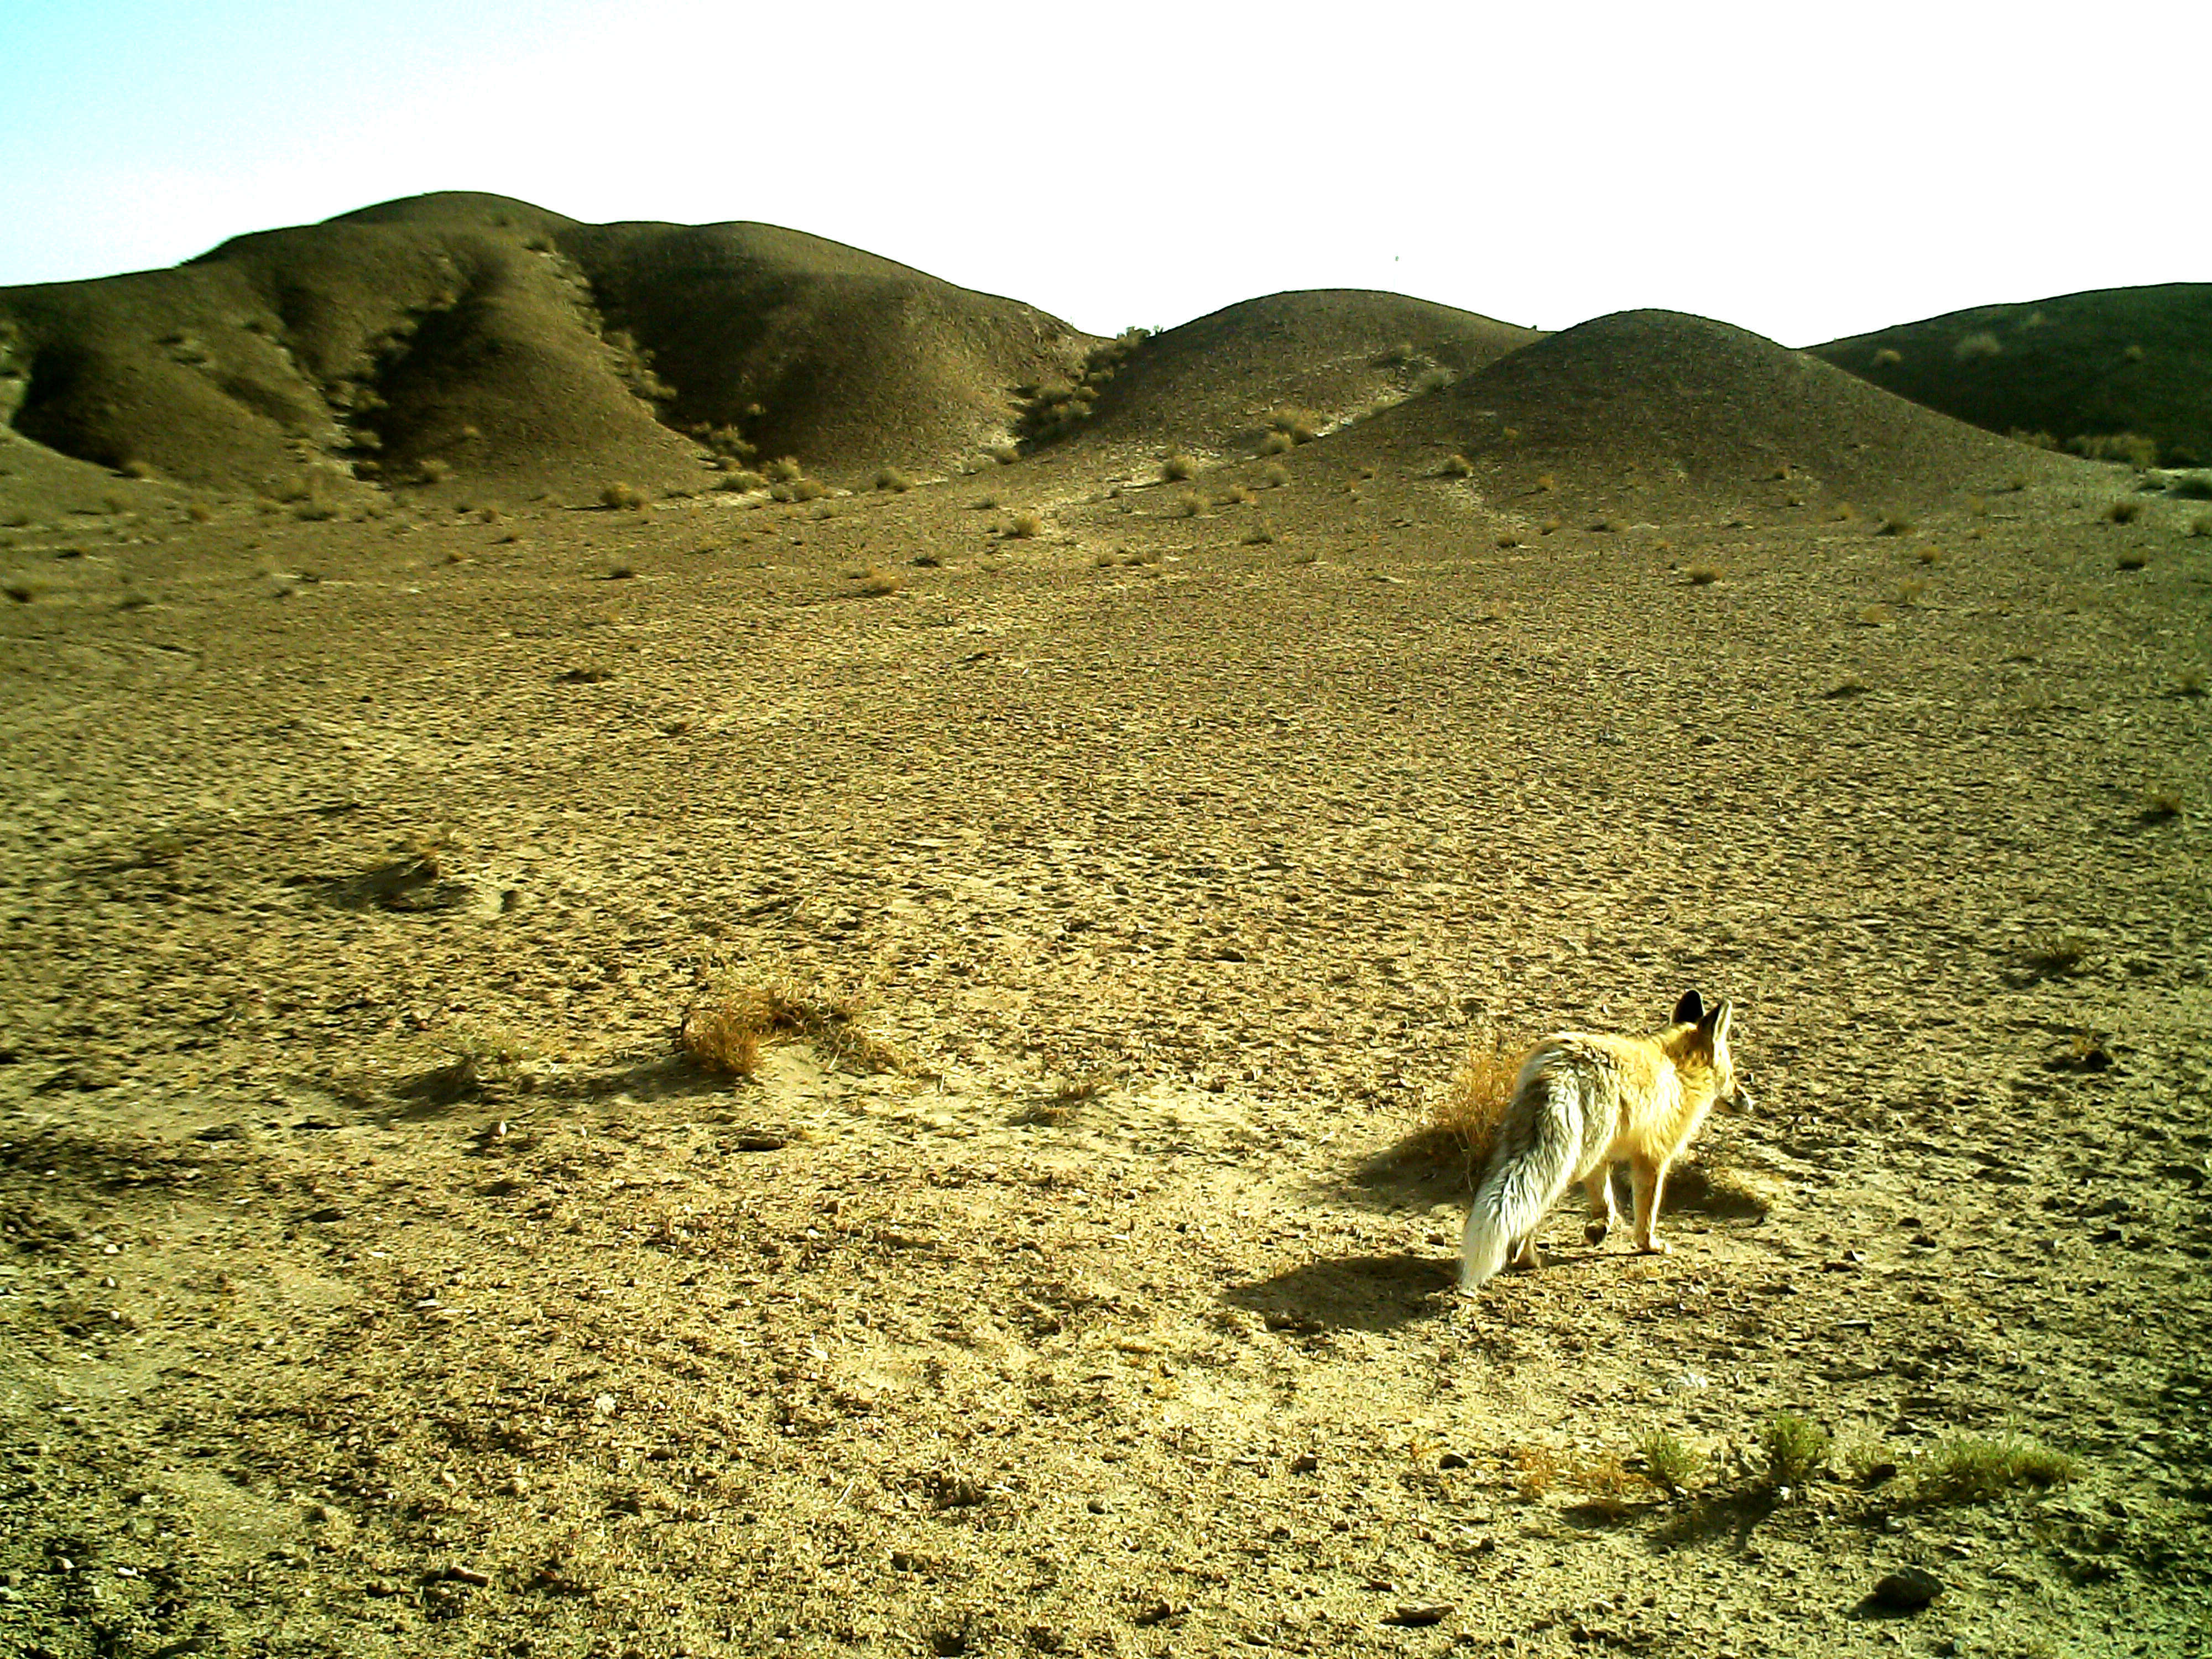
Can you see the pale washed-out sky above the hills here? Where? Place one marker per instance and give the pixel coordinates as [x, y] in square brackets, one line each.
[1804, 171]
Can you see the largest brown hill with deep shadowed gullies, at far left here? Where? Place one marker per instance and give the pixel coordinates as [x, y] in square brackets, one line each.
[477, 337]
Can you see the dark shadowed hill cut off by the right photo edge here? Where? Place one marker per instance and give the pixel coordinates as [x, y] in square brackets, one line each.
[2078, 366]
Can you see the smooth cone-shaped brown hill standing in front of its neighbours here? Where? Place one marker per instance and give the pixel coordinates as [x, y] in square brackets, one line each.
[1687, 406]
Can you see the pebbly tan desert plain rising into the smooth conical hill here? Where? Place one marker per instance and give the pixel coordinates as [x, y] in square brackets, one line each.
[382, 1280]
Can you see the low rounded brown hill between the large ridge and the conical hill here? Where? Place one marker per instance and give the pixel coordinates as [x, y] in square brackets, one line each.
[1331, 355]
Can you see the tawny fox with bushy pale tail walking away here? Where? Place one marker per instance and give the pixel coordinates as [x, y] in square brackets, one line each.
[1583, 1105]
